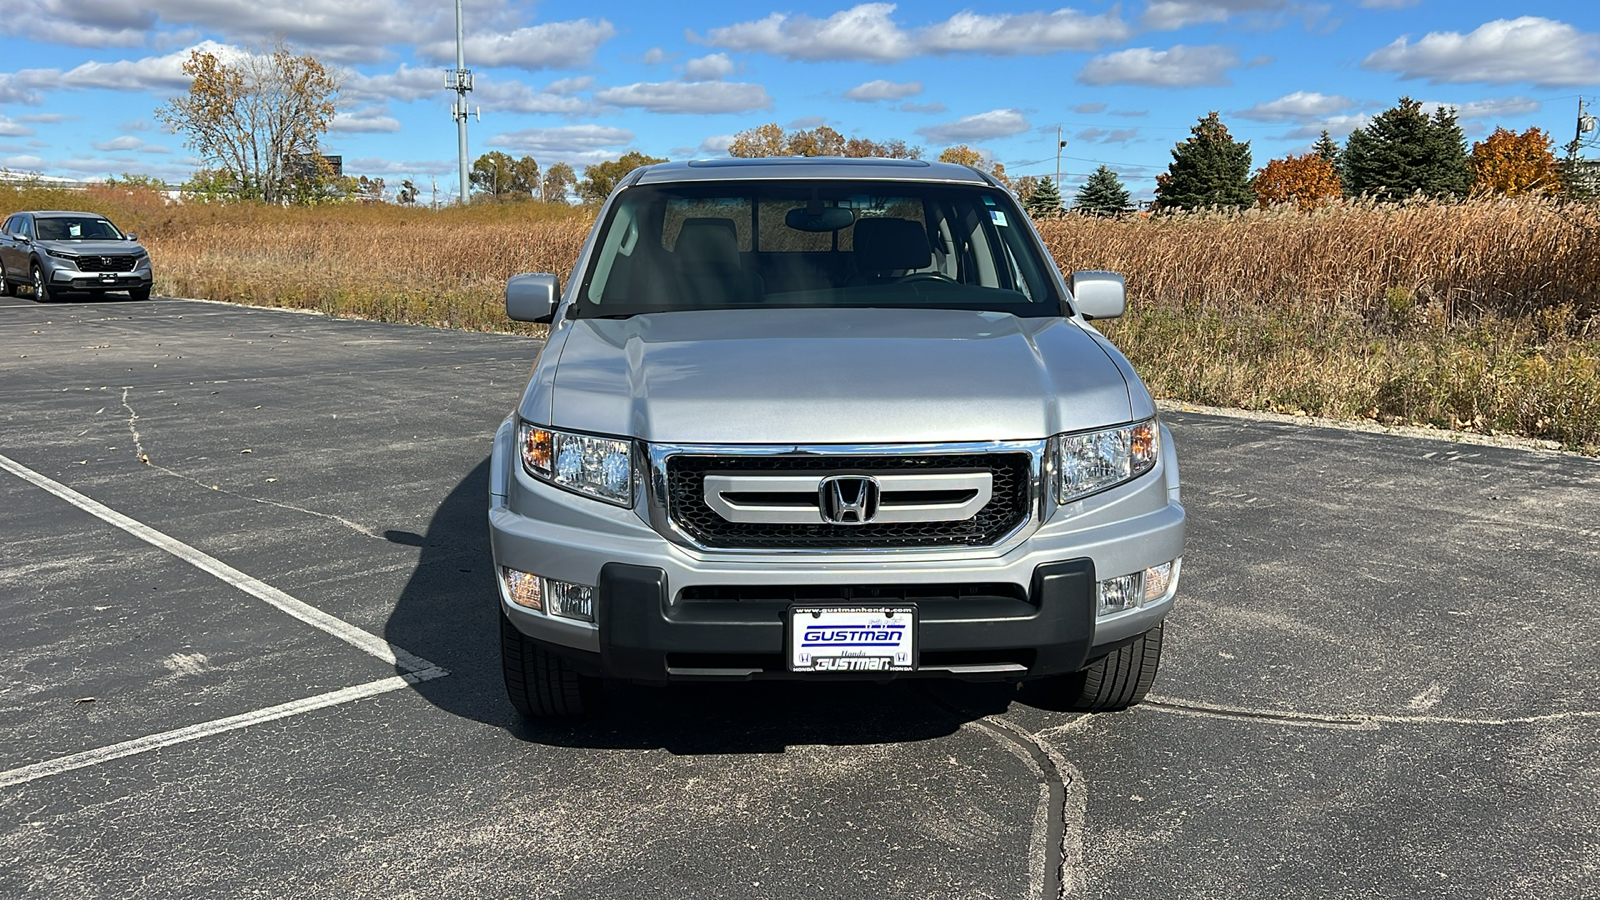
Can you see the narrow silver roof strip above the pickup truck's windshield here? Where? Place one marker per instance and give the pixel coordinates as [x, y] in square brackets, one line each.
[807, 169]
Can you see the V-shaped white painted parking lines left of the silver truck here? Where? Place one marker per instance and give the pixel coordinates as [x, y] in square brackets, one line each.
[415, 669]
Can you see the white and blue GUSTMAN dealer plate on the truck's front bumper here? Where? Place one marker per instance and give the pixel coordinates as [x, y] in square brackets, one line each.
[852, 640]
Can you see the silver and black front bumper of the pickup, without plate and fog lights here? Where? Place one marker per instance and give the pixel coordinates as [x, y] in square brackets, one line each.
[670, 613]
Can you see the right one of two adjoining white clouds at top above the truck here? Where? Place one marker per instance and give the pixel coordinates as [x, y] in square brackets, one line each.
[1023, 34]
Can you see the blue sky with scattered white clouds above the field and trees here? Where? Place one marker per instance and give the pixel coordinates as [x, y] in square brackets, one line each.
[588, 81]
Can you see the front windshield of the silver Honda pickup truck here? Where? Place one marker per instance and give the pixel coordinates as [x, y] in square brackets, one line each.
[737, 244]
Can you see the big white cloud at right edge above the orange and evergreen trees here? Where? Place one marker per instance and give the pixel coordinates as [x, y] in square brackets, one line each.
[1530, 49]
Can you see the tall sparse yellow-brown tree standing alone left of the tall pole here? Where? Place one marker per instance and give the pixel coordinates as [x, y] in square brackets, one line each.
[257, 118]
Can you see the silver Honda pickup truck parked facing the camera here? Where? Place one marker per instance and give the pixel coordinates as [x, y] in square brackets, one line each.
[828, 420]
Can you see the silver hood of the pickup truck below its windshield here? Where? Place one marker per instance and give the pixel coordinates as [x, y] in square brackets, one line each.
[833, 377]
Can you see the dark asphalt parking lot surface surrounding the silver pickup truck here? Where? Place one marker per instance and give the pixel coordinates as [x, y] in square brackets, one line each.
[247, 649]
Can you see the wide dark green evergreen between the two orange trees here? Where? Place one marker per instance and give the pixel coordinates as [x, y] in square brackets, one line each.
[1402, 151]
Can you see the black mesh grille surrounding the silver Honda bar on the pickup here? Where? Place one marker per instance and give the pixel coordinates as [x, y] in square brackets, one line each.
[1007, 508]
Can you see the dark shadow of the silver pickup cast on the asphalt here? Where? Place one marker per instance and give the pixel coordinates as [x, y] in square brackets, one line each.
[447, 614]
